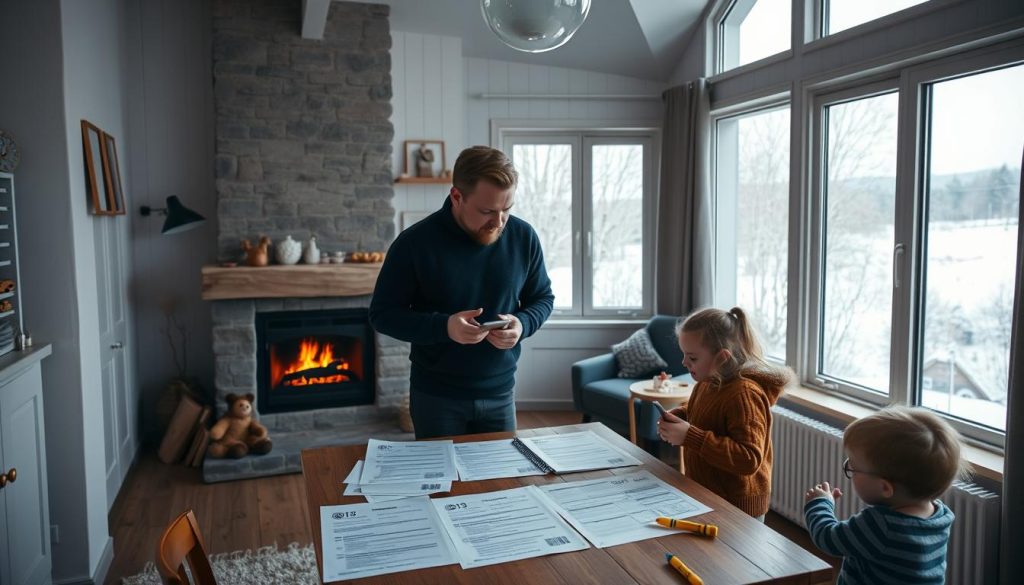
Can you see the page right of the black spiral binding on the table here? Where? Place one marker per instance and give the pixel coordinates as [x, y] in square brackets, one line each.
[573, 452]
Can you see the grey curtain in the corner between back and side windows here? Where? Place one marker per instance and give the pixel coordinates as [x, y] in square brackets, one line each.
[685, 264]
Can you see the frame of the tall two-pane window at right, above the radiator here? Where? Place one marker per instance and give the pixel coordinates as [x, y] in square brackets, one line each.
[913, 83]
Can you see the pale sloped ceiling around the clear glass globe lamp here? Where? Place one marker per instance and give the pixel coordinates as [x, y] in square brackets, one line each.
[635, 38]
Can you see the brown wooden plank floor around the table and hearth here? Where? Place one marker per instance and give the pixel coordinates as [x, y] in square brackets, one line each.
[251, 514]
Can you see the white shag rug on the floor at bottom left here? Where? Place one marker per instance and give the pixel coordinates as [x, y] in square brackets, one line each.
[268, 565]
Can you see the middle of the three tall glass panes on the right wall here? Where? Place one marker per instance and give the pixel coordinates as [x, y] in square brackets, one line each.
[858, 197]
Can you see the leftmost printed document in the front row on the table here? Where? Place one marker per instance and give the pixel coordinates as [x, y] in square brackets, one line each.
[361, 540]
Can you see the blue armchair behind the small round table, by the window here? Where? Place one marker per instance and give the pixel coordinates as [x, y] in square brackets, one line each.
[602, 396]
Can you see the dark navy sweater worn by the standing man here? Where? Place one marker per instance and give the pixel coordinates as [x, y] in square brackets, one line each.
[435, 270]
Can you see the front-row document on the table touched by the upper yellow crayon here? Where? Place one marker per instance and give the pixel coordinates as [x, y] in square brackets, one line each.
[622, 509]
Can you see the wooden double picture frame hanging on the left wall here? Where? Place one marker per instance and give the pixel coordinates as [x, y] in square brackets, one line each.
[103, 174]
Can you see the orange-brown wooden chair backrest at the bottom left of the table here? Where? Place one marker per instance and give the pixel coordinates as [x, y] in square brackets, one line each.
[181, 544]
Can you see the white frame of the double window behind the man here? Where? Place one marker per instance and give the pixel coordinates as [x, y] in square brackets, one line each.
[506, 134]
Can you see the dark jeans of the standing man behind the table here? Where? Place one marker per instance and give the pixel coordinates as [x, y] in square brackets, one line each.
[437, 416]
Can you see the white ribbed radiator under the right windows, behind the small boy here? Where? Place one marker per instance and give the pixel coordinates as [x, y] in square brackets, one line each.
[808, 452]
